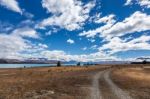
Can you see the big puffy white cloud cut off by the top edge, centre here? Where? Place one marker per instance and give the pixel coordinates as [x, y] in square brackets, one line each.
[68, 14]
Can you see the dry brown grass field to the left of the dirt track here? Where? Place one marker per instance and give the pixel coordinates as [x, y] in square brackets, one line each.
[47, 82]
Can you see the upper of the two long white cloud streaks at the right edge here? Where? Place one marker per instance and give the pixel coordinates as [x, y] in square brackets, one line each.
[137, 22]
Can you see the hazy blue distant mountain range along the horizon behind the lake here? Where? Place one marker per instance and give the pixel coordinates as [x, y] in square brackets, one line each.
[46, 61]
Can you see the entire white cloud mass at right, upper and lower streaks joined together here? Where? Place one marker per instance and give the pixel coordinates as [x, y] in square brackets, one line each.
[112, 32]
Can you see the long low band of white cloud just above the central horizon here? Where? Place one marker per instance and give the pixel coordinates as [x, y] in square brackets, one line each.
[61, 55]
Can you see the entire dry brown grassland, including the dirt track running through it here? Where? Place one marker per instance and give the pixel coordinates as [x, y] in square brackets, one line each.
[75, 82]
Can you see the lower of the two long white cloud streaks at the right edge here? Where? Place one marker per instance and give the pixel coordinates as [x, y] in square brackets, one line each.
[118, 45]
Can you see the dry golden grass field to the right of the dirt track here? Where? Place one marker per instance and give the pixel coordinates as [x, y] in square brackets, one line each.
[134, 80]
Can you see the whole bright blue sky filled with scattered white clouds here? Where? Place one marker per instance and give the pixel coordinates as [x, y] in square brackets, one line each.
[80, 30]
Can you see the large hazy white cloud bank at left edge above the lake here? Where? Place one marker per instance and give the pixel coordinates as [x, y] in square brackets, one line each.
[12, 45]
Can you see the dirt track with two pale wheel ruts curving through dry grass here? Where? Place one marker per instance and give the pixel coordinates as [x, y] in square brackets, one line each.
[104, 88]
